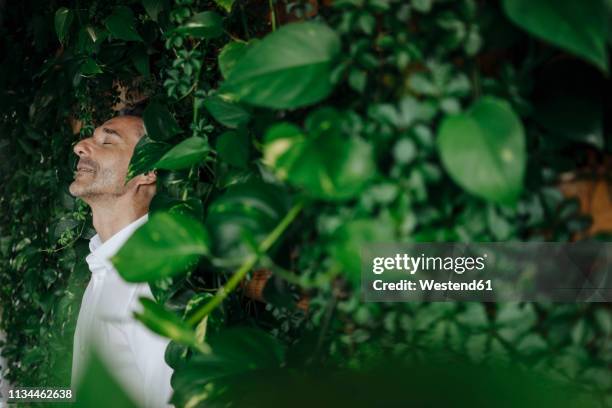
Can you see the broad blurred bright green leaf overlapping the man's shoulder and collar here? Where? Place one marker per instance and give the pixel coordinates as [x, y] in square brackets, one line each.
[166, 245]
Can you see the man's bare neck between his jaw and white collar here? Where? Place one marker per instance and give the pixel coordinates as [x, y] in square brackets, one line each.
[111, 216]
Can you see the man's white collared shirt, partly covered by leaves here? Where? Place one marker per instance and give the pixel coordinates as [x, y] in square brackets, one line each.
[133, 353]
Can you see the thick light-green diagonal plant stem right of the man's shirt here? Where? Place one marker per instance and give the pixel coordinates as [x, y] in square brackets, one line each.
[246, 266]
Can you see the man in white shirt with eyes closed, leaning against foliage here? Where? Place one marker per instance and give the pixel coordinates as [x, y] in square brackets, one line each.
[133, 354]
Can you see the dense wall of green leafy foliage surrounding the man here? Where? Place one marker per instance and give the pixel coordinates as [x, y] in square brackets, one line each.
[287, 135]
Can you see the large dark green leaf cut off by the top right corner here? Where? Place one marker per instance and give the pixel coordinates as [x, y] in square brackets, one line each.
[577, 27]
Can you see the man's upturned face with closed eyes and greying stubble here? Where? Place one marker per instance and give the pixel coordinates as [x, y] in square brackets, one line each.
[104, 158]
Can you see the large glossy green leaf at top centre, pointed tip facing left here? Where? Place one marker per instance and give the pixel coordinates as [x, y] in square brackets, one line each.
[289, 68]
